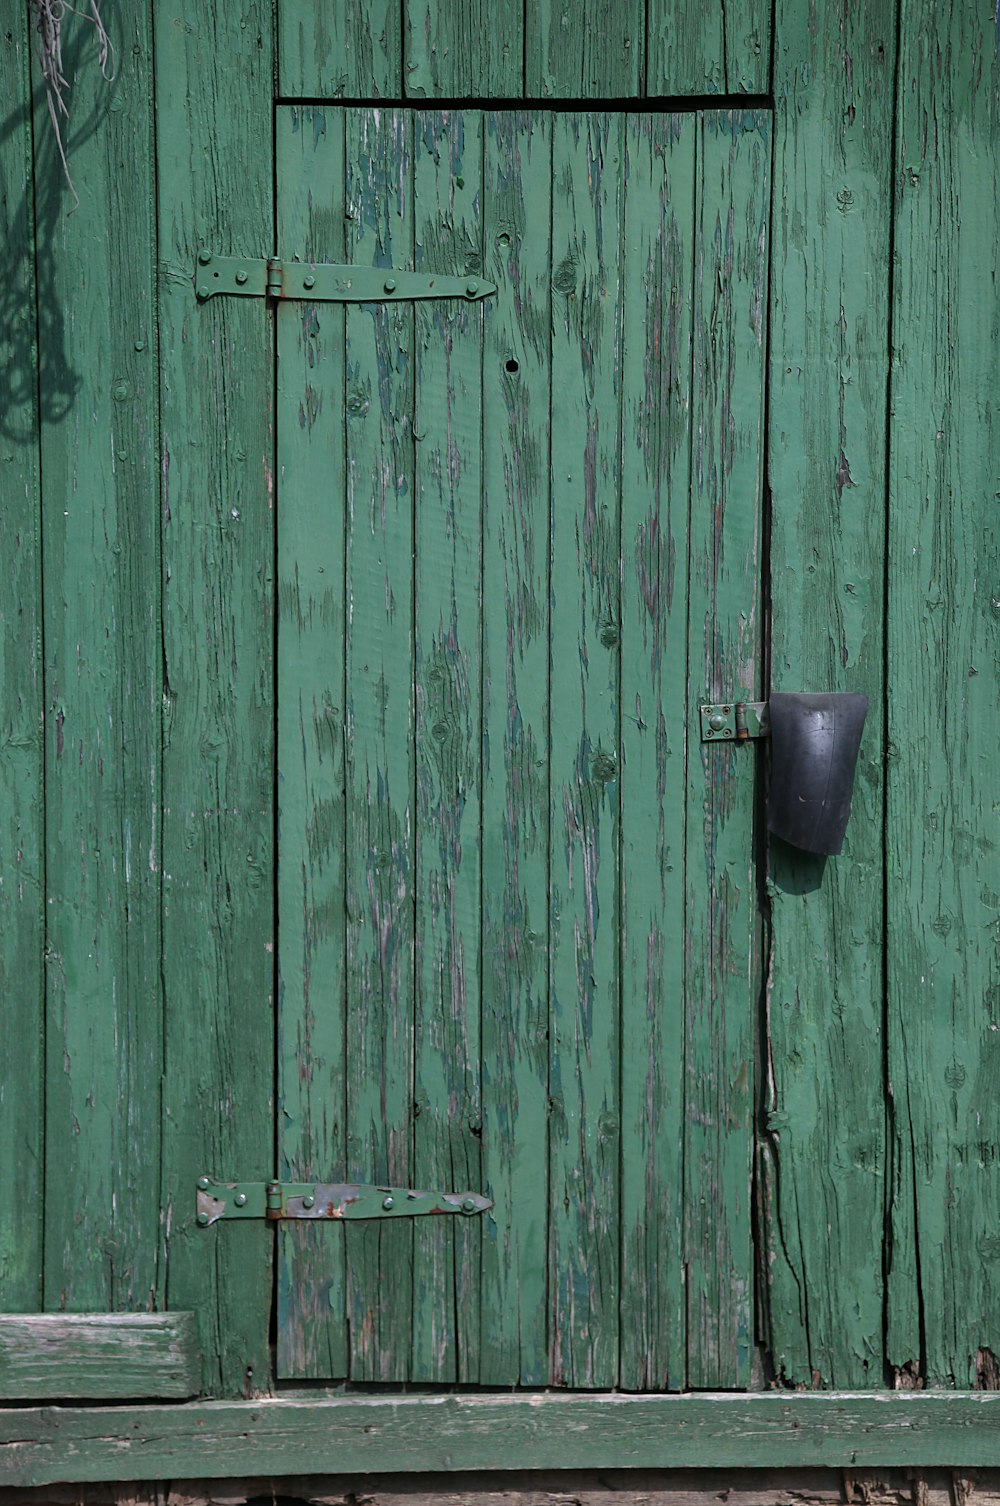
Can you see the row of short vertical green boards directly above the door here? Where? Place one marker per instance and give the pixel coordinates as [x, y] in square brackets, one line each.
[553, 49]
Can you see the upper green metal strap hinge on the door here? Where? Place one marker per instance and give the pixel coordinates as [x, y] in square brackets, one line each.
[272, 278]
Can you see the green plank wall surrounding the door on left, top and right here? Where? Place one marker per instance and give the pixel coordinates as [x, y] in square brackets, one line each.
[136, 675]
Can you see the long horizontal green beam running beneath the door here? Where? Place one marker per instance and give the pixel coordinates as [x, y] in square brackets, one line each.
[450, 1433]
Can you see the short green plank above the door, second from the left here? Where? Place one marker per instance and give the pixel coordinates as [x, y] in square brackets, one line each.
[456, 49]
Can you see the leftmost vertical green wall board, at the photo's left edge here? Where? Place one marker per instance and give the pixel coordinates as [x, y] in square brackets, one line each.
[22, 822]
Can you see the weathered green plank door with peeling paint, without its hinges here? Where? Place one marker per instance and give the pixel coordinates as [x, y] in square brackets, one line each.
[519, 940]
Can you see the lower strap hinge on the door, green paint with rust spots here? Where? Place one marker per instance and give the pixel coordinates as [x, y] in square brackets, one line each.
[281, 1201]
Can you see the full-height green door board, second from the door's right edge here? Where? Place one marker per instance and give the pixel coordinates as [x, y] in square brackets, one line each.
[656, 489]
